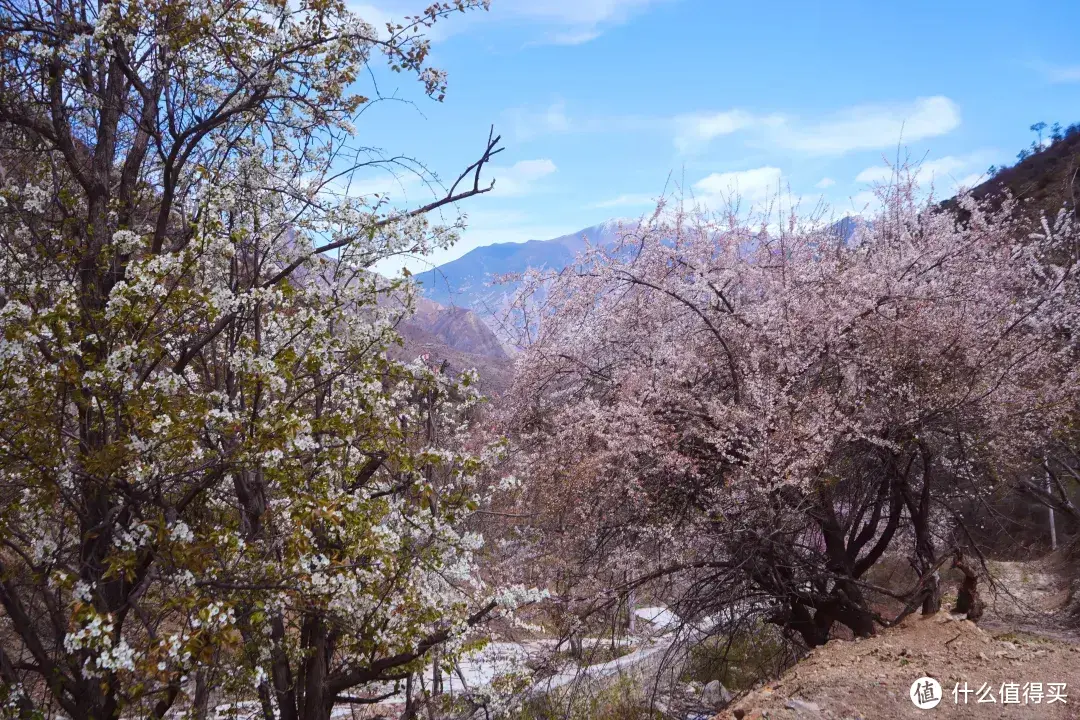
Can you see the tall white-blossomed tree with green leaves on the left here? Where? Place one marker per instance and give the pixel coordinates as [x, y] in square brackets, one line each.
[214, 485]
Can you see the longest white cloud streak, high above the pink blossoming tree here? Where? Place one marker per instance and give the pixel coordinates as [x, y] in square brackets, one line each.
[858, 128]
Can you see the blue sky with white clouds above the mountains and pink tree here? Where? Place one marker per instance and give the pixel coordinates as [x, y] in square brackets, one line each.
[604, 104]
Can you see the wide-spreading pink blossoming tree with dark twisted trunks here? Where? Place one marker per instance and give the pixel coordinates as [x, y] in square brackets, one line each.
[759, 412]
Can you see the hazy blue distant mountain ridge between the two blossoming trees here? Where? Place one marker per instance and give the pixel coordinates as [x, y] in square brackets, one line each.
[468, 281]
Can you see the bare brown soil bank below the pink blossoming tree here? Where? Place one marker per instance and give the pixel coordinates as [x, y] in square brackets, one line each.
[871, 680]
